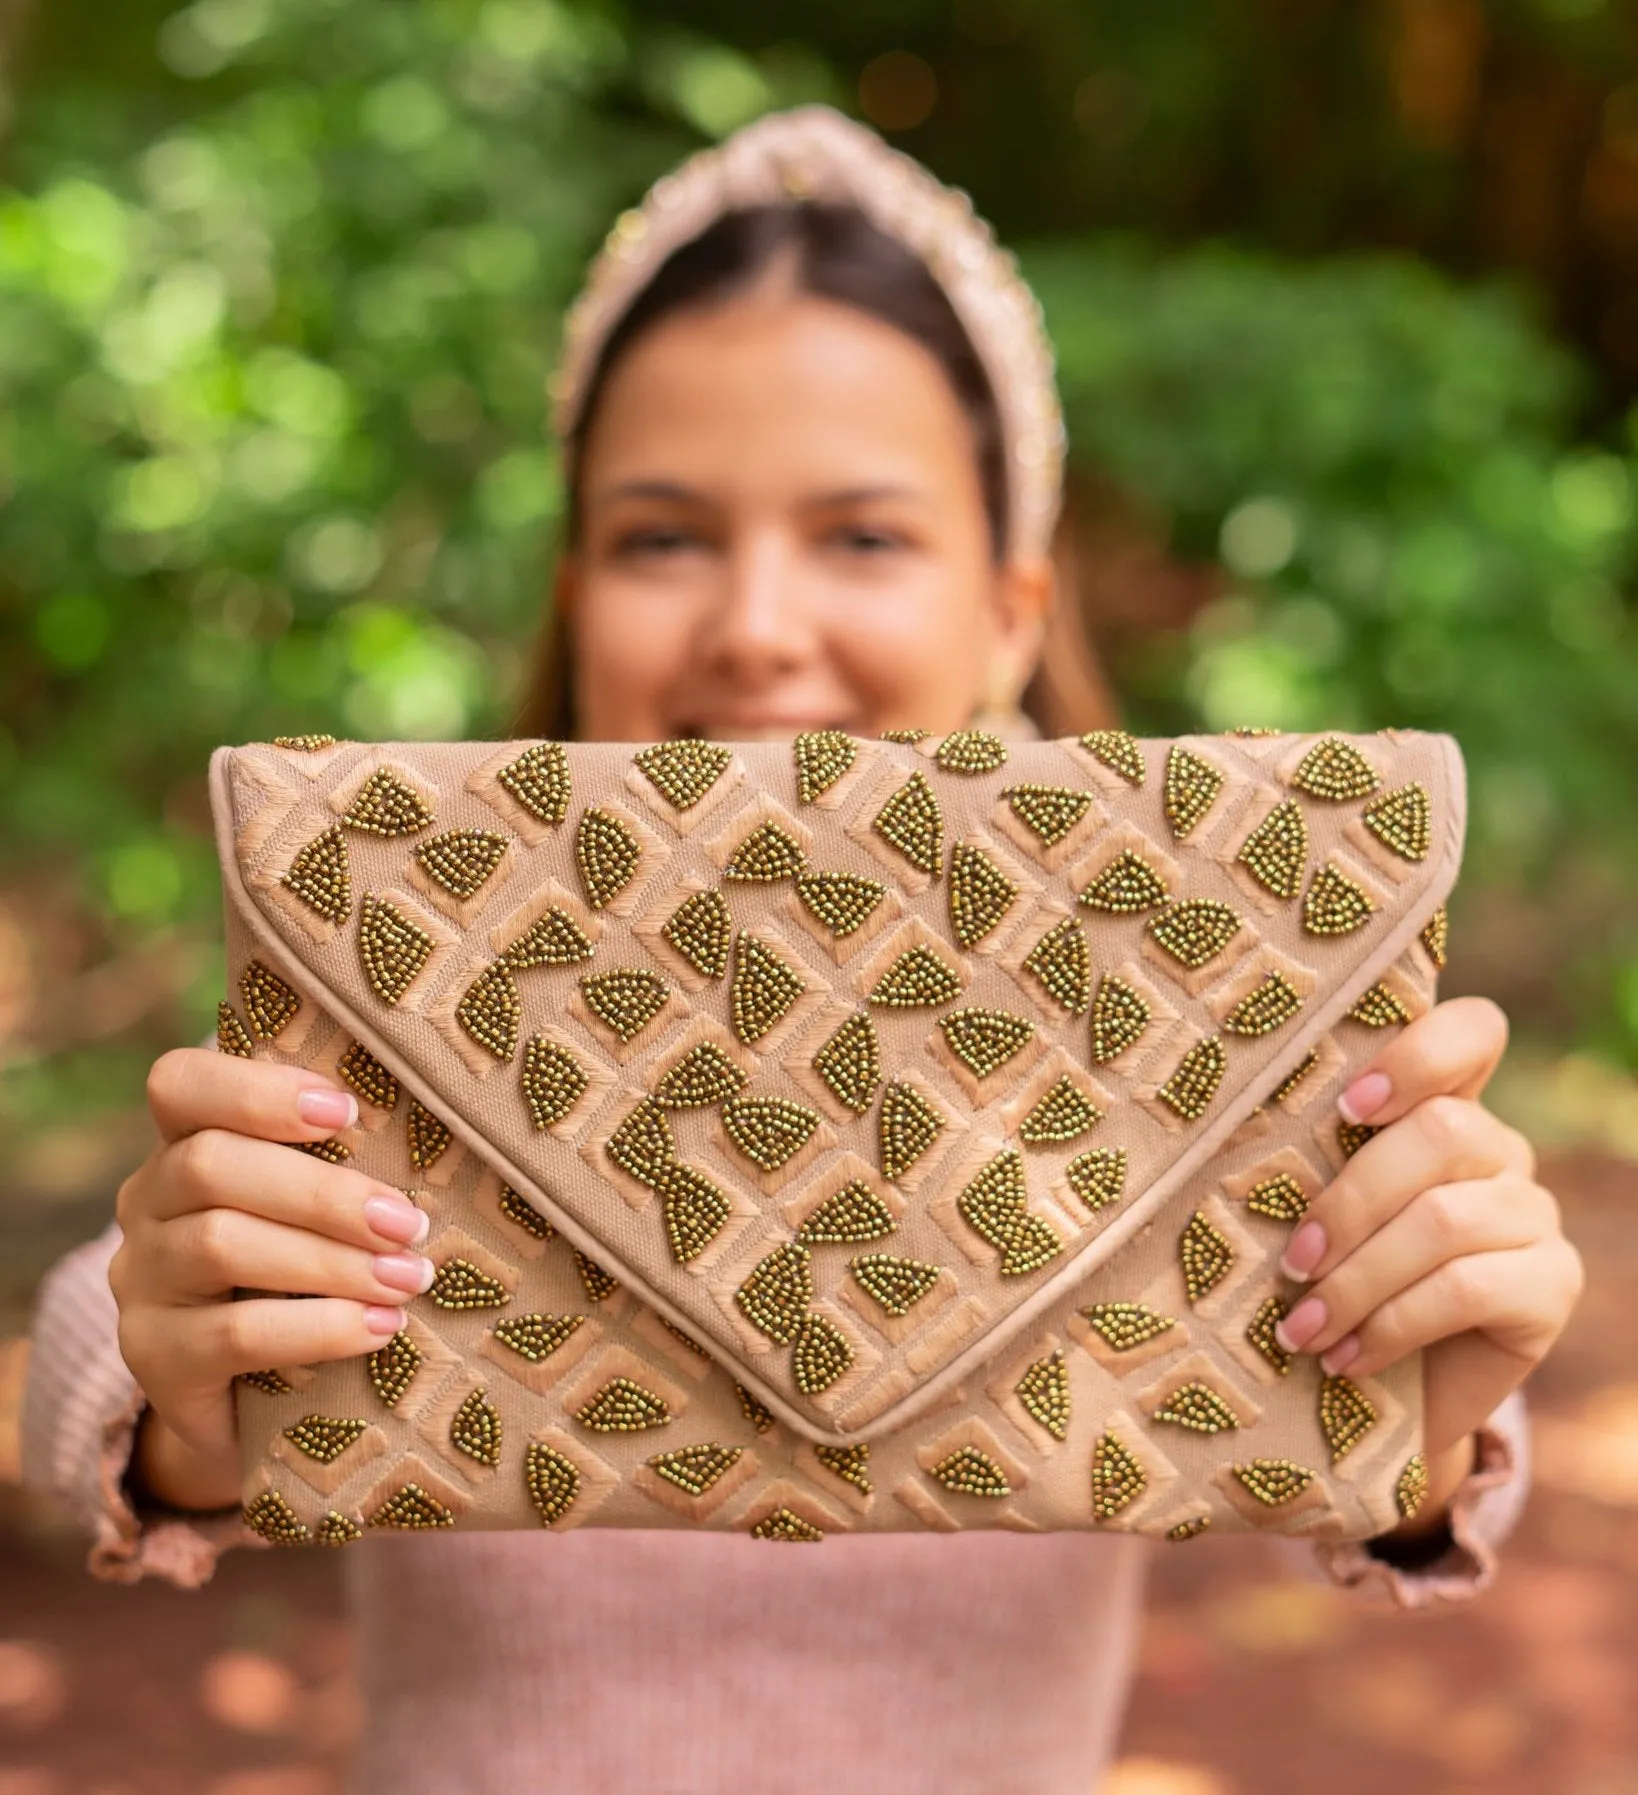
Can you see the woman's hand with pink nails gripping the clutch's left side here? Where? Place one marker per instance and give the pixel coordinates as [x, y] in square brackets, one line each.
[222, 1204]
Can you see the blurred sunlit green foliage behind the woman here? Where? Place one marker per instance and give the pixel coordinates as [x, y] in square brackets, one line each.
[274, 459]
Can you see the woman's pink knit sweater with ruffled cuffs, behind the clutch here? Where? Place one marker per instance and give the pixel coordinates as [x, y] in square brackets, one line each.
[675, 1663]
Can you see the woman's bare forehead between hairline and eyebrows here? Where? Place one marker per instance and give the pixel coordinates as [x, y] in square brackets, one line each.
[769, 390]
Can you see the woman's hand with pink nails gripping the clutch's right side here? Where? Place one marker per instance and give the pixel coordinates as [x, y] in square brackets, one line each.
[1436, 1234]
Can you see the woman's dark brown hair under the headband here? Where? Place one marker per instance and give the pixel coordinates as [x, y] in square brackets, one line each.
[835, 254]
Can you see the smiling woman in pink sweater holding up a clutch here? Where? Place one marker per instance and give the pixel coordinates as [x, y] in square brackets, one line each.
[814, 460]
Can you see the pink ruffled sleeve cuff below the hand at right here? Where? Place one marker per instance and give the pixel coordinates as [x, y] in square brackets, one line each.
[1483, 1512]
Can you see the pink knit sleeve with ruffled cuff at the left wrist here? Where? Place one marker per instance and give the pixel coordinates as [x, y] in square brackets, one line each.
[82, 1408]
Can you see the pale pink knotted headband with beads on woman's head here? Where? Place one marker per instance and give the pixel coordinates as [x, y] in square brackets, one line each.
[819, 153]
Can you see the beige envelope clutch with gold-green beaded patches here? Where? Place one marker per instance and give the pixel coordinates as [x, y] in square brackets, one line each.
[839, 1135]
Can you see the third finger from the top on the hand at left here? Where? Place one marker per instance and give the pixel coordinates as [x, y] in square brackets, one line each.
[213, 1252]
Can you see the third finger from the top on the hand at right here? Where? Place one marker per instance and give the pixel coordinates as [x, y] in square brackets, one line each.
[1440, 1225]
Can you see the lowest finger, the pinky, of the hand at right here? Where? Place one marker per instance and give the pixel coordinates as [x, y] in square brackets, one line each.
[1517, 1299]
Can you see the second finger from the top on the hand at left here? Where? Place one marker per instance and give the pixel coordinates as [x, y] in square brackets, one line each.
[220, 1171]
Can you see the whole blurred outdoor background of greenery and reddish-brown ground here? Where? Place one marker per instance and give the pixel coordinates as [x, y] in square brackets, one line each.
[1346, 304]
